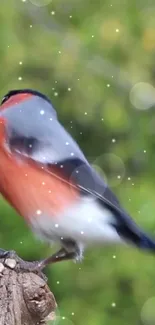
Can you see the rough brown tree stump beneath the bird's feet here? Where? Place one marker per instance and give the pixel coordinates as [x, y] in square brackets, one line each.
[25, 298]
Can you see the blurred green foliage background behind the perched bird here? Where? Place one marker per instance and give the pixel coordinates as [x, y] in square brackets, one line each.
[87, 56]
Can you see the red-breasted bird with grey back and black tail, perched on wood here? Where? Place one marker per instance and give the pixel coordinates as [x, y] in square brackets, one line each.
[46, 178]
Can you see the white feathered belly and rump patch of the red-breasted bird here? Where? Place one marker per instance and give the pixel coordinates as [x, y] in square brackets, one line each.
[85, 222]
